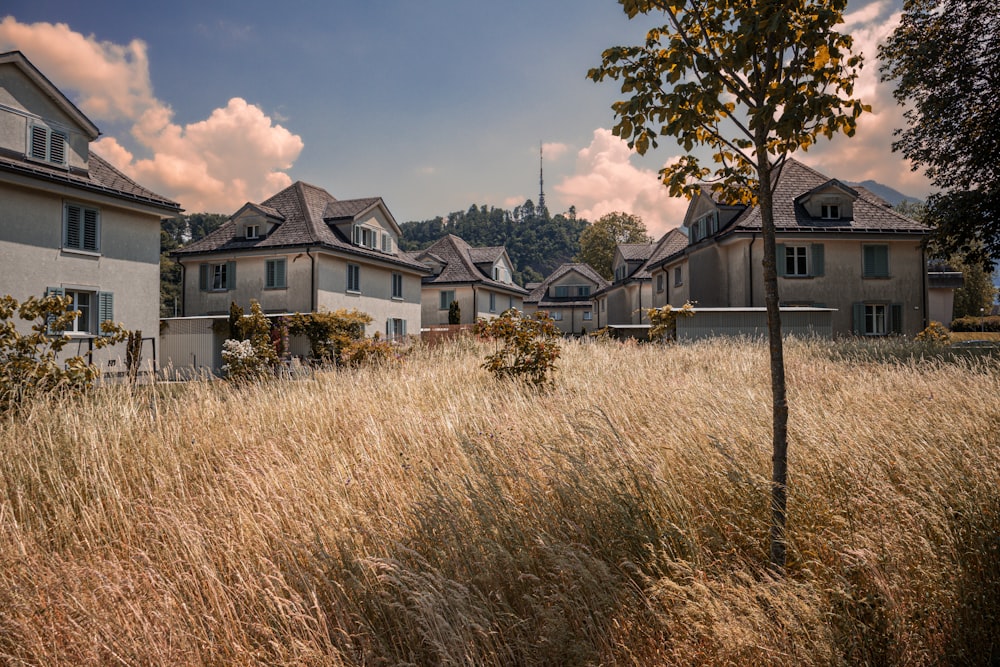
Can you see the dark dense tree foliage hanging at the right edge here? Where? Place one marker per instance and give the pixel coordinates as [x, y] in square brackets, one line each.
[945, 59]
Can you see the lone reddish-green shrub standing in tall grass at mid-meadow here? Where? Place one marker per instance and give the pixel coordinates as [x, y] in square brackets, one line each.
[527, 347]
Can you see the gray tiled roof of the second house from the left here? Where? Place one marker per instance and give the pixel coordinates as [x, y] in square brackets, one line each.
[306, 212]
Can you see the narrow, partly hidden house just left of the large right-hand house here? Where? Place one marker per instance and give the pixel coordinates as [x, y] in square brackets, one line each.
[623, 303]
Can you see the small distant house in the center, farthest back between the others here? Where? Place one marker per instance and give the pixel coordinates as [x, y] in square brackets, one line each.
[566, 296]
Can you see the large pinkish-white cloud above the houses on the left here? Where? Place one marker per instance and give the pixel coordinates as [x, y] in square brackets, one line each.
[235, 155]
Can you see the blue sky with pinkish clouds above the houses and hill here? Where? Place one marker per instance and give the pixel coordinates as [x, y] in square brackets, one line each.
[433, 105]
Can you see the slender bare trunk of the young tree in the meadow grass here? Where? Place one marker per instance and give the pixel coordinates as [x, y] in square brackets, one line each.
[779, 403]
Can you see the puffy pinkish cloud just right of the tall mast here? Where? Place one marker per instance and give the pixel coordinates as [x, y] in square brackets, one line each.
[606, 181]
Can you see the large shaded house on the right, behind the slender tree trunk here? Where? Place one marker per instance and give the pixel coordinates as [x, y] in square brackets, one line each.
[838, 248]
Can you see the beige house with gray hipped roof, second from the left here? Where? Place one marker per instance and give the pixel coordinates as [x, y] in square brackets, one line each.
[303, 250]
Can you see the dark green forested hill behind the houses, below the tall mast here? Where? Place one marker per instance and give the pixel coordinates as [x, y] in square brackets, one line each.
[536, 242]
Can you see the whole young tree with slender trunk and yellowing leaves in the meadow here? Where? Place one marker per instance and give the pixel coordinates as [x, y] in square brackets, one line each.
[753, 81]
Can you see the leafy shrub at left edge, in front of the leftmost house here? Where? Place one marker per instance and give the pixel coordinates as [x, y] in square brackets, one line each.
[30, 363]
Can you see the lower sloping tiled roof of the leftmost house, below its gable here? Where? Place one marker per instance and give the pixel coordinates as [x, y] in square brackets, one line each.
[100, 178]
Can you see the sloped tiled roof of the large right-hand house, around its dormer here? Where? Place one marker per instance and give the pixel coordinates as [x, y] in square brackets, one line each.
[796, 179]
